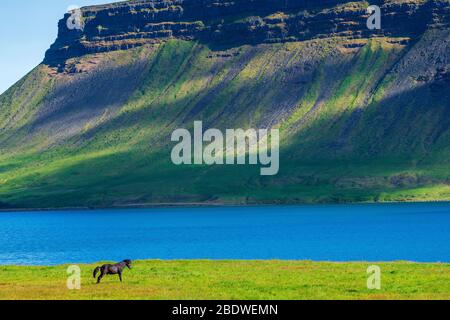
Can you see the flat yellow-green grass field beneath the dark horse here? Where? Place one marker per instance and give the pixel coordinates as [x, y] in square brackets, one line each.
[234, 280]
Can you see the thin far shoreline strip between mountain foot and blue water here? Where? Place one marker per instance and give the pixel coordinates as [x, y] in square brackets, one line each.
[213, 205]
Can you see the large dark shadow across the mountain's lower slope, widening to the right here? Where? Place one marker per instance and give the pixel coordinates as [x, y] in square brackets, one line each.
[143, 175]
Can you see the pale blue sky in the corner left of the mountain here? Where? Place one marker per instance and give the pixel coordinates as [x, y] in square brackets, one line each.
[27, 29]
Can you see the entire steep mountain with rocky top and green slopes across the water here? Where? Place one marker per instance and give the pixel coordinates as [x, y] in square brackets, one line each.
[364, 115]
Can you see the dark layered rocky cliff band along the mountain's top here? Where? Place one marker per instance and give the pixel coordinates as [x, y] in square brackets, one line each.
[129, 24]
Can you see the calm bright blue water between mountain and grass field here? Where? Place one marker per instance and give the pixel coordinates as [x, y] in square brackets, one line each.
[415, 232]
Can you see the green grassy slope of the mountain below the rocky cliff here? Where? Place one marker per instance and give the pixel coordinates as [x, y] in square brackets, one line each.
[389, 153]
